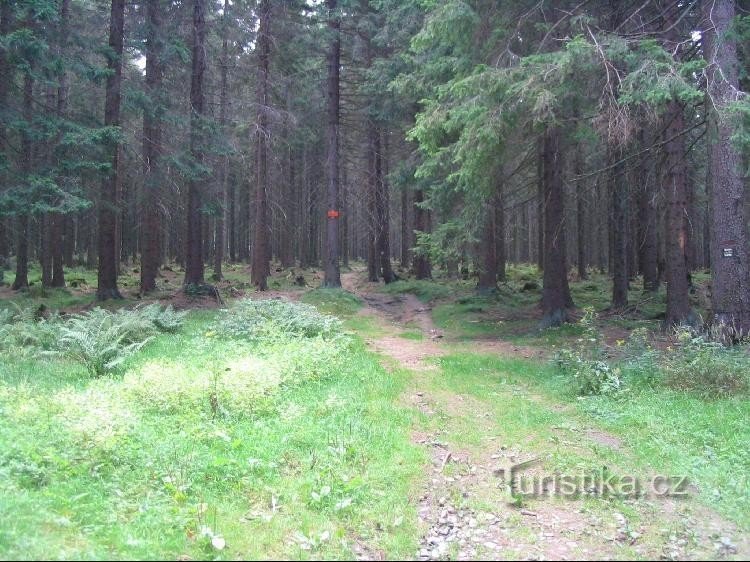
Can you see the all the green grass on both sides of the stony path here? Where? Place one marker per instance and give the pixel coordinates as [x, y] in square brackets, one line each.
[299, 449]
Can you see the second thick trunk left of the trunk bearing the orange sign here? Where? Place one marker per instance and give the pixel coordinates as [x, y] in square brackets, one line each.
[194, 267]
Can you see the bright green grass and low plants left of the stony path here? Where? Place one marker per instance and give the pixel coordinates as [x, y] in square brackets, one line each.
[134, 466]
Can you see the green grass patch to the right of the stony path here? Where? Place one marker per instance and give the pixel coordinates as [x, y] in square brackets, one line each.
[664, 431]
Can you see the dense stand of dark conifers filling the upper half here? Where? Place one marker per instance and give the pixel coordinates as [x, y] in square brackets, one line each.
[458, 134]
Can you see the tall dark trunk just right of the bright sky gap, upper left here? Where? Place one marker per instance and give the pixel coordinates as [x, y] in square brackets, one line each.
[151, 215]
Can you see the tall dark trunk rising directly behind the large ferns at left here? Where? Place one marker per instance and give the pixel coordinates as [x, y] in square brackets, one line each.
[108, 203]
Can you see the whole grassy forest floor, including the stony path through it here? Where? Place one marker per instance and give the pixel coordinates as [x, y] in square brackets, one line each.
[402, 451]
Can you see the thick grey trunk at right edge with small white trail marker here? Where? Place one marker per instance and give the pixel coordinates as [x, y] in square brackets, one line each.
[730, 247]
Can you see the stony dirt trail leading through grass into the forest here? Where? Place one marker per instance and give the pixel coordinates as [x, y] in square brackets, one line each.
[467, 510]
